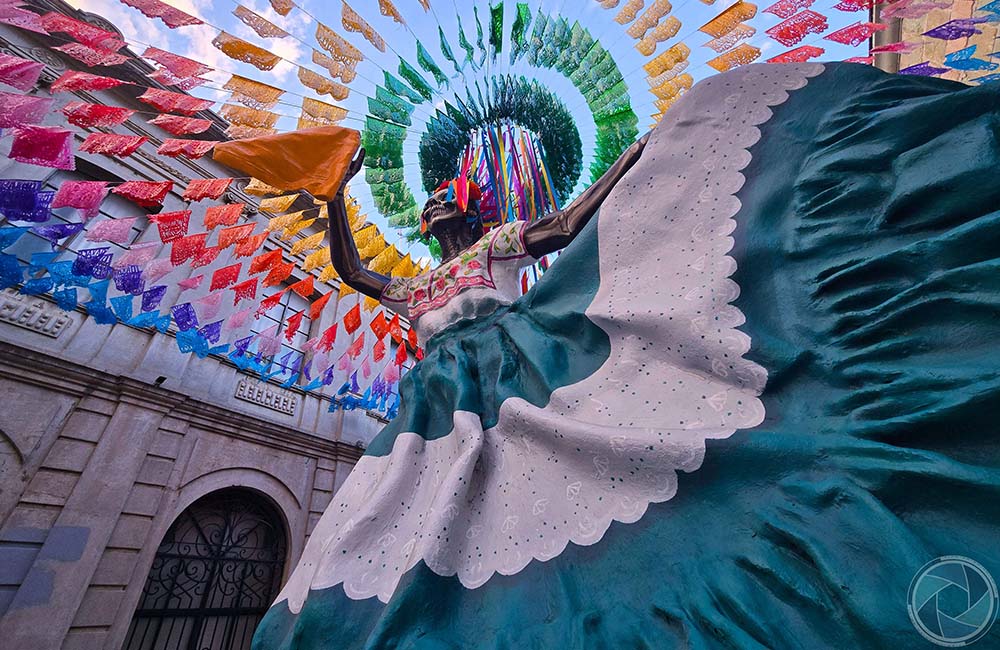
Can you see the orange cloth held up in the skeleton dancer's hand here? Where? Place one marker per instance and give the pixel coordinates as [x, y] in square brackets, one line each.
[314, 160]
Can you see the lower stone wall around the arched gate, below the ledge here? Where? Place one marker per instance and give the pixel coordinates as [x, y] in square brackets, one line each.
[96, 467]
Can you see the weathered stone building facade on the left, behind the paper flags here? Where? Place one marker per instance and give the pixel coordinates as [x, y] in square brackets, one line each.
[127, 468]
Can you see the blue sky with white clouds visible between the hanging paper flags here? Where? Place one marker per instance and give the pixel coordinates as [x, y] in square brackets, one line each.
[195, 42]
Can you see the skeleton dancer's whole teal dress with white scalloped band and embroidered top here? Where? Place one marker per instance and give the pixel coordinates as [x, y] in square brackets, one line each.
[743, 409]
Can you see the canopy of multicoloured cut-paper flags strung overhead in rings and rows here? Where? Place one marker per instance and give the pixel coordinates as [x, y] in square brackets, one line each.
[532, 100]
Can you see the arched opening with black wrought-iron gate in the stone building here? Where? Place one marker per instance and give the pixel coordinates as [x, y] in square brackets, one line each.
[215, 574]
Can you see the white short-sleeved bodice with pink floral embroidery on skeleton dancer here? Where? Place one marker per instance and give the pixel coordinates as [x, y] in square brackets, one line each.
[480, 279]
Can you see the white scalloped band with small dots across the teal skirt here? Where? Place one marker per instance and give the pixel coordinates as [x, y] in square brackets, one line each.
[476, 503]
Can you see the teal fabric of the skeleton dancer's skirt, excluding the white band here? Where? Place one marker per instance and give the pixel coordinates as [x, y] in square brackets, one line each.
[868, 262]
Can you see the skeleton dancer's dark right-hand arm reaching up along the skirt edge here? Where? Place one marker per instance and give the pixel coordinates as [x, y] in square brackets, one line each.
[557, 230]
